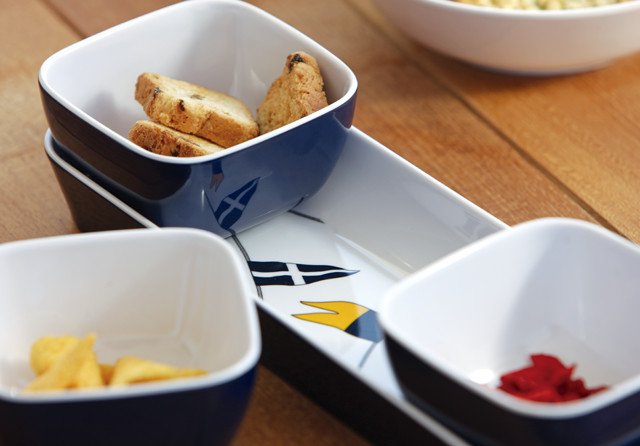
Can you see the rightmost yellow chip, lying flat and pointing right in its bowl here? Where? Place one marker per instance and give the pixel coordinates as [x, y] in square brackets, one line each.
[131, 370]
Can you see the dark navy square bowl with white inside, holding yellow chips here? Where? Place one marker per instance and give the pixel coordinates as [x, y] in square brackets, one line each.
[179, 296]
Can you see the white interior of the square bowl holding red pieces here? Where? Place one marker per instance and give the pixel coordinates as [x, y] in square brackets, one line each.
[563, 288]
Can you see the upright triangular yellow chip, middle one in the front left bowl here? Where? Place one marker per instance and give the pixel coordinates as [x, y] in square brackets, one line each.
[74, 368]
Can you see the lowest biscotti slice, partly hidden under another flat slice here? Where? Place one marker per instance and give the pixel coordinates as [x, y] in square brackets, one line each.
[163, 140]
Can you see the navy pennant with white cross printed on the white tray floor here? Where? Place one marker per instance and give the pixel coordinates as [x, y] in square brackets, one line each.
[293, 274]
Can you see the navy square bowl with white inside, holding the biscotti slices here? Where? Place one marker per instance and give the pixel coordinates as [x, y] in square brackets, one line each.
[88, 96]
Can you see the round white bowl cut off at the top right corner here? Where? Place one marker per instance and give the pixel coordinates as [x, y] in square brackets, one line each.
[520, 41]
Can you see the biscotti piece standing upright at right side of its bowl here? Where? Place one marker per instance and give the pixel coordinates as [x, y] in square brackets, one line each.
[297, 92]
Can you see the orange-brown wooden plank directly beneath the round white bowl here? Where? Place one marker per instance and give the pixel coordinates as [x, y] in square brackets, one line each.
[584, 130]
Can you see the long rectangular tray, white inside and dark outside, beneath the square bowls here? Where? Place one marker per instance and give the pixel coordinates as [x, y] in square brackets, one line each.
[321, 271]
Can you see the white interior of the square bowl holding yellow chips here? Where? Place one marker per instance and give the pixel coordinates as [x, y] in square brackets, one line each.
[175, 296]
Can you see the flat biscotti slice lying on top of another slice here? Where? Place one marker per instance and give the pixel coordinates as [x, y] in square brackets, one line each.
[197, 110]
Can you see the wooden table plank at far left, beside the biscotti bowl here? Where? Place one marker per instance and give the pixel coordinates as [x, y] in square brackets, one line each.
[32, 204]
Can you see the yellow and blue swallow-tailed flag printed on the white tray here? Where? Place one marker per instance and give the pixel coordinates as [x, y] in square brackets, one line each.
[349, 317]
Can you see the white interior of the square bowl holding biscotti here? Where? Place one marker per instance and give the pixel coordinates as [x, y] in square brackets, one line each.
[228, 46]
